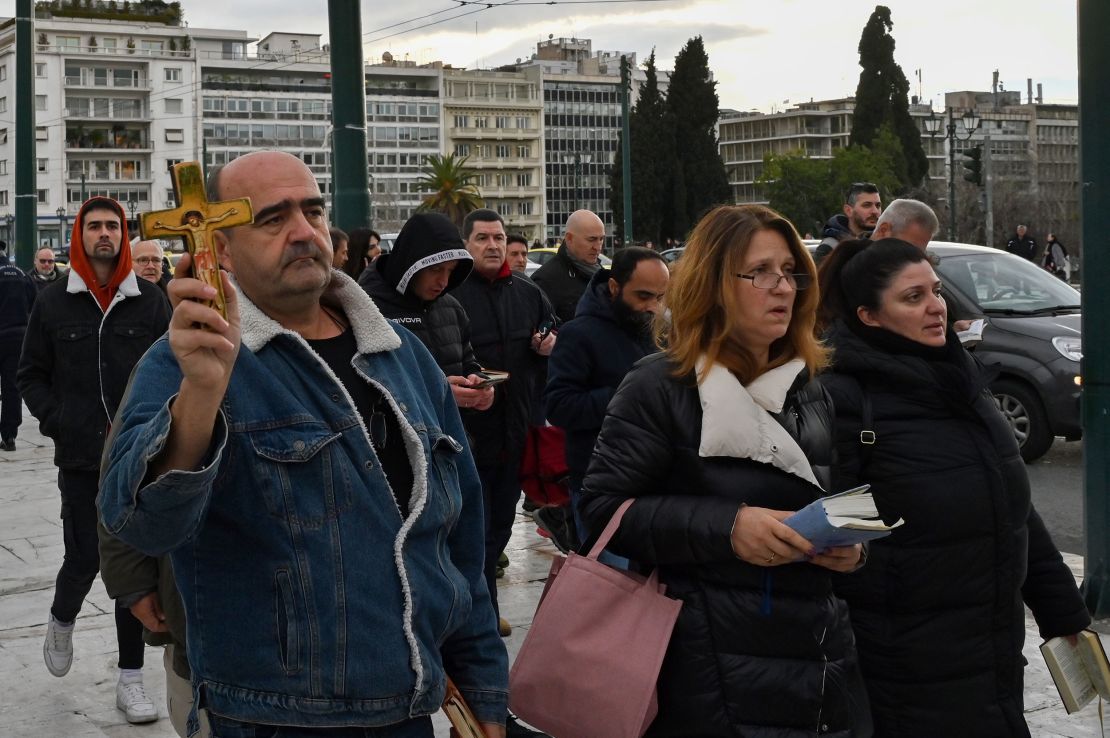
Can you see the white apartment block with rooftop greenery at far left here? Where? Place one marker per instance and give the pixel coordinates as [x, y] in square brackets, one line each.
[114, 103]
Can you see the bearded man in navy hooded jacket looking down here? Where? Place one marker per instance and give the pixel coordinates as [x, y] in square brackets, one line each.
[612, 331]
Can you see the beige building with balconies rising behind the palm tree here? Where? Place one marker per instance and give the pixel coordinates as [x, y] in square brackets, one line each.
[496, 119]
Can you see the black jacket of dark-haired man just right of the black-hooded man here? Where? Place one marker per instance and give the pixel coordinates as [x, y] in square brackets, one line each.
[504, 316]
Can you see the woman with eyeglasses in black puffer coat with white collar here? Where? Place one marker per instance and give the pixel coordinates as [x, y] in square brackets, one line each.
[719, 439]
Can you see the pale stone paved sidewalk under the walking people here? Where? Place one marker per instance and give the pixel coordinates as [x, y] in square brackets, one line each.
[83, 705]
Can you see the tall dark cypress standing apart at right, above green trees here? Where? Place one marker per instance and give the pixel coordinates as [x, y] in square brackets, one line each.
[882, 98]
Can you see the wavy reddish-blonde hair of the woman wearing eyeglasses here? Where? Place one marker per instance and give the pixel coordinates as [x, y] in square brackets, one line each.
[702, 298]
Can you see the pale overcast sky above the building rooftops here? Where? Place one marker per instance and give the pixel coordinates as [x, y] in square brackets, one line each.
[763, 53]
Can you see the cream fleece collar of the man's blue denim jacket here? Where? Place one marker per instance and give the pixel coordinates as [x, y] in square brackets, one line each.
[372, 332]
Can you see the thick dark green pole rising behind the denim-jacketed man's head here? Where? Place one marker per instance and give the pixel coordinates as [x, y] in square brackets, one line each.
[350, 177]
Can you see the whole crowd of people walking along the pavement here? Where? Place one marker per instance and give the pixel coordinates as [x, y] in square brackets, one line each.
[306, 504]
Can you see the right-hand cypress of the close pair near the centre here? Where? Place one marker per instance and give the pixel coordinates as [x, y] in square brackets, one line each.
[698, 179]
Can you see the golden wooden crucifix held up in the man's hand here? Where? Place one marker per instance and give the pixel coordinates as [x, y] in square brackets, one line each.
[195, 220]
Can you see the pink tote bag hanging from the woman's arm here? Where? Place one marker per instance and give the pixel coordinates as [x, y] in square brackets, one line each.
[590, 664]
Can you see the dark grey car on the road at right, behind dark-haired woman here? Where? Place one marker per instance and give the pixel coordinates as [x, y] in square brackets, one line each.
[1032, 336]
